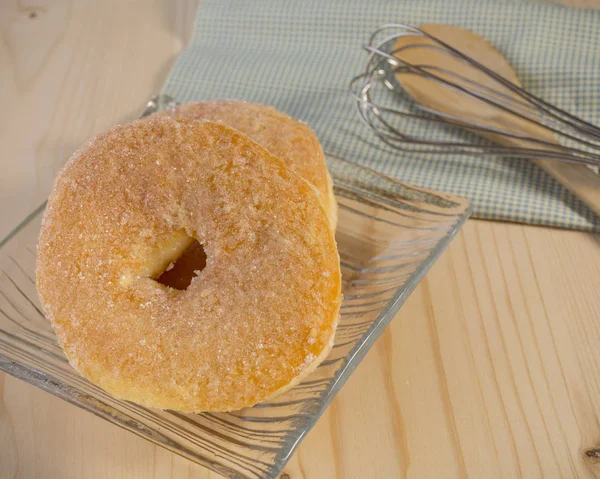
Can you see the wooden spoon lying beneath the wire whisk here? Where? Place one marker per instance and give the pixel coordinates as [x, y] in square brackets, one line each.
[579, 179]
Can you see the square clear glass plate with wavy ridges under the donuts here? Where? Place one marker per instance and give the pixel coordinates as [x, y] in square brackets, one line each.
[389, 234]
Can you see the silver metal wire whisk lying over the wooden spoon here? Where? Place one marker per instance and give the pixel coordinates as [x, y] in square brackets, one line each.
[386, 114]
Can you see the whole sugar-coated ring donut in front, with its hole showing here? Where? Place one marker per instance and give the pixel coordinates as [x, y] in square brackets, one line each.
[253, 322]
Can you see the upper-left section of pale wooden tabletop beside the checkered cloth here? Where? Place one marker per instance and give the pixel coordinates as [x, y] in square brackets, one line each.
[66, 75]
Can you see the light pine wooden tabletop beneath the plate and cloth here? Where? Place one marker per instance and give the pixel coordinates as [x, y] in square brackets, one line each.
[491, 369]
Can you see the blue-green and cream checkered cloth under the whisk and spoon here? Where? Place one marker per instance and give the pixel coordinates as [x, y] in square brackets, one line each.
[299, 56]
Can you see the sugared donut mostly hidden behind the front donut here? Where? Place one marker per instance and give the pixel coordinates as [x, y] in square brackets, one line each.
[288, 139]
